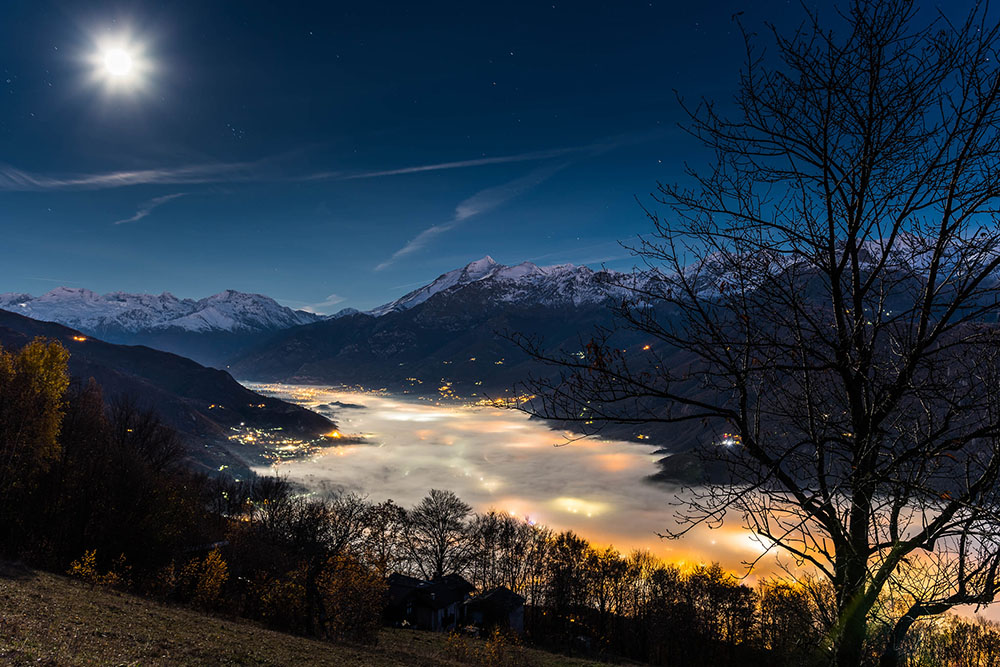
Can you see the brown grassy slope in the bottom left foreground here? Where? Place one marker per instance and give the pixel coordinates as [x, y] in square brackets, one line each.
[51, 620]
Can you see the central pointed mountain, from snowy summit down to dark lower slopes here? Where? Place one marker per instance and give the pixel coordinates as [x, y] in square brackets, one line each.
[447, 337]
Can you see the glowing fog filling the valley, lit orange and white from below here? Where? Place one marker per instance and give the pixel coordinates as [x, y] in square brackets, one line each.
[500, 459]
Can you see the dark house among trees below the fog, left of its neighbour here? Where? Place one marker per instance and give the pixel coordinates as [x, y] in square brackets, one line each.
[427, 605]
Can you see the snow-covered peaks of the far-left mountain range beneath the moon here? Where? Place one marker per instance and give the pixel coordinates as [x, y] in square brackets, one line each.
[120, 312]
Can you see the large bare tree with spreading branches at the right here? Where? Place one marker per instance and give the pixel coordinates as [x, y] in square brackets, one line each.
[827, 292]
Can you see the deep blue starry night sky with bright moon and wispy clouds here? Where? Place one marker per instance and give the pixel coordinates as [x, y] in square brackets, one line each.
[336, 154]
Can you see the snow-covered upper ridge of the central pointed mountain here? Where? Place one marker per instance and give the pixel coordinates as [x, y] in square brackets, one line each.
[563, 284]
